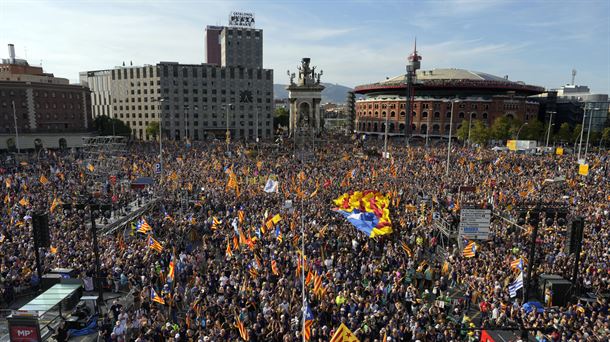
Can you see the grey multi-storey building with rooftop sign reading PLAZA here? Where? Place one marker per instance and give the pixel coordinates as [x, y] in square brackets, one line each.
[197, 101]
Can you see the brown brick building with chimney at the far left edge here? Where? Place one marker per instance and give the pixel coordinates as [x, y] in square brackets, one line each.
[38, 110]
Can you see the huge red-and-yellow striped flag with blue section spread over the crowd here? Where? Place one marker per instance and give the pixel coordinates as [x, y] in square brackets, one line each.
[368, 211]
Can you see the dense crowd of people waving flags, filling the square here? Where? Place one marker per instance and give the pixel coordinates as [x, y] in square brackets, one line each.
[229, 268]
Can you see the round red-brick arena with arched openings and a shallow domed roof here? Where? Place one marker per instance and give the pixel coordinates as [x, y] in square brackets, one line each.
[481, 96]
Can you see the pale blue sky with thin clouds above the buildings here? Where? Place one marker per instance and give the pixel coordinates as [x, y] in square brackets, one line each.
[354, 42]
